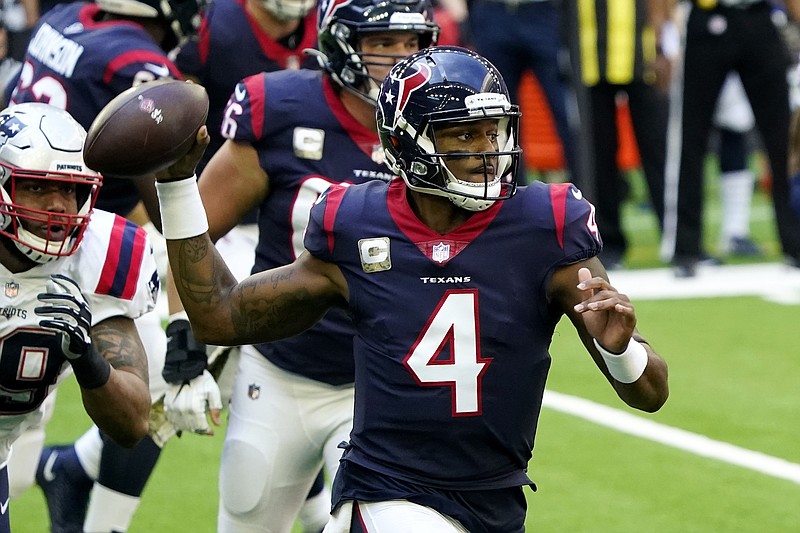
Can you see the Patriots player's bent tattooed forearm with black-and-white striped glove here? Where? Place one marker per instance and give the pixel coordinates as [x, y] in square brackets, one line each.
[108, 360]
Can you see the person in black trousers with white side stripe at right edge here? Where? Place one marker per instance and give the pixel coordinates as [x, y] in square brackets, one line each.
[735, 35]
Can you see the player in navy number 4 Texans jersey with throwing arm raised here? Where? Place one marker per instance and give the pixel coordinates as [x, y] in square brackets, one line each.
[455, 280]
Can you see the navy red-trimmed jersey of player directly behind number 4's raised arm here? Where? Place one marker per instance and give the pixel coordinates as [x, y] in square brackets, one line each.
[305, 140]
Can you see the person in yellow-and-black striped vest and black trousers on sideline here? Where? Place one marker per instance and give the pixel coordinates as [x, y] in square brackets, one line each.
[618, 55]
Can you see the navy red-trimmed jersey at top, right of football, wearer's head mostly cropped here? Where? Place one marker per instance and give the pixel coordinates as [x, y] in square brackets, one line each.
[231, 46]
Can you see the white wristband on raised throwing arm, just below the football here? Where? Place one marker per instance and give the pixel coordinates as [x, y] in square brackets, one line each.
[182, 212]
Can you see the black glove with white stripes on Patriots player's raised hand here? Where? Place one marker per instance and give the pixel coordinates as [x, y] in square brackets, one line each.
[70, 317]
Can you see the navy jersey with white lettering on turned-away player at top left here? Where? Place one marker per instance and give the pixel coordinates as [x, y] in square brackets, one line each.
[79, 64]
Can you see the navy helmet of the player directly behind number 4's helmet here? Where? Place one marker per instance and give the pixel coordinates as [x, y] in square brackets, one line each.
[341, 25]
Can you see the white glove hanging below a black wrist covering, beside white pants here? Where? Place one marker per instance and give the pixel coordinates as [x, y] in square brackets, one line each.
[187, 406]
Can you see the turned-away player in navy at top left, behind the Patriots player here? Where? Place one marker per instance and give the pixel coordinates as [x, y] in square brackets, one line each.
[80, 57]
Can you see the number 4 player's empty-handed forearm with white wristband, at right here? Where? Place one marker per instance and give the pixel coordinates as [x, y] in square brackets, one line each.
[606, 323]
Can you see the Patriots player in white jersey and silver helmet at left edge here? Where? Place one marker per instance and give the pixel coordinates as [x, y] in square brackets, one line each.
[74, 279]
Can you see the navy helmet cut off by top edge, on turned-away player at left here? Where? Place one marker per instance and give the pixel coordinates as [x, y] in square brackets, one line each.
[181, 17]
